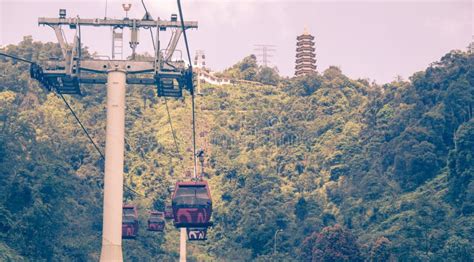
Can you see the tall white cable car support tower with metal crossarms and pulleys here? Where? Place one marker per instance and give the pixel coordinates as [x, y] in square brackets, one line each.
[66, 75]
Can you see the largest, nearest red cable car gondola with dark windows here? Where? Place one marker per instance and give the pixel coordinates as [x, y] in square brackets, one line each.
[192, 204]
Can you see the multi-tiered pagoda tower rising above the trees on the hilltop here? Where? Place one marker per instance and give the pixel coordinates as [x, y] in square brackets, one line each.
[305, 54]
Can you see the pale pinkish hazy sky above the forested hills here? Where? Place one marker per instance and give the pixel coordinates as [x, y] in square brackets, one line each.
[366, 39]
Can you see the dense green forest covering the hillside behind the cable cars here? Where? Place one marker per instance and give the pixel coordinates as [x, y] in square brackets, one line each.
[347, 169]
